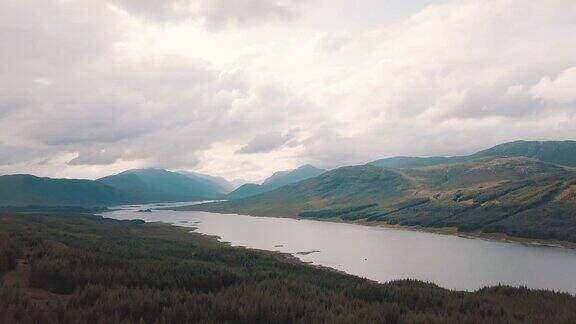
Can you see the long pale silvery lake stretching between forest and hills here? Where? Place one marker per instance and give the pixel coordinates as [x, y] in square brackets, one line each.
[384, 254]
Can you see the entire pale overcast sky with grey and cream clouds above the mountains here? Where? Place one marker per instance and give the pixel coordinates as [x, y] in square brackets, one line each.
[243, 88]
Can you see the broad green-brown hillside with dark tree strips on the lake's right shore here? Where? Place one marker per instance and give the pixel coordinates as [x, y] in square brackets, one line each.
[517, 196]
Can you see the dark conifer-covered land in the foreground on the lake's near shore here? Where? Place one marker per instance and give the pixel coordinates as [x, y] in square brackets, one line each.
[91, 270]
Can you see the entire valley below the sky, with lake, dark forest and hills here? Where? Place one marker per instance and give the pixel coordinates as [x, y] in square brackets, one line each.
[53, 247]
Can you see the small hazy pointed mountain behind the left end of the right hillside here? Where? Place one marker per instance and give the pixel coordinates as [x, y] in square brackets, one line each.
[277, 180]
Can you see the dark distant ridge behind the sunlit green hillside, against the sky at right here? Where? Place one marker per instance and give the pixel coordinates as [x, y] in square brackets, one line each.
[556, 152]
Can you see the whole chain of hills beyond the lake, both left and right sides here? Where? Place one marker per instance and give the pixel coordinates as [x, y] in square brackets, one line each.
[525, 189]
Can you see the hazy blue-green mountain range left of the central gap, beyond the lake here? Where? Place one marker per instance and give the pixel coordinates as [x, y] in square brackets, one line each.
[129, 187]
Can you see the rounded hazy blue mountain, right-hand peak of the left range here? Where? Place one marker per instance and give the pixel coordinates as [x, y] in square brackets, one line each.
[157, 185]
